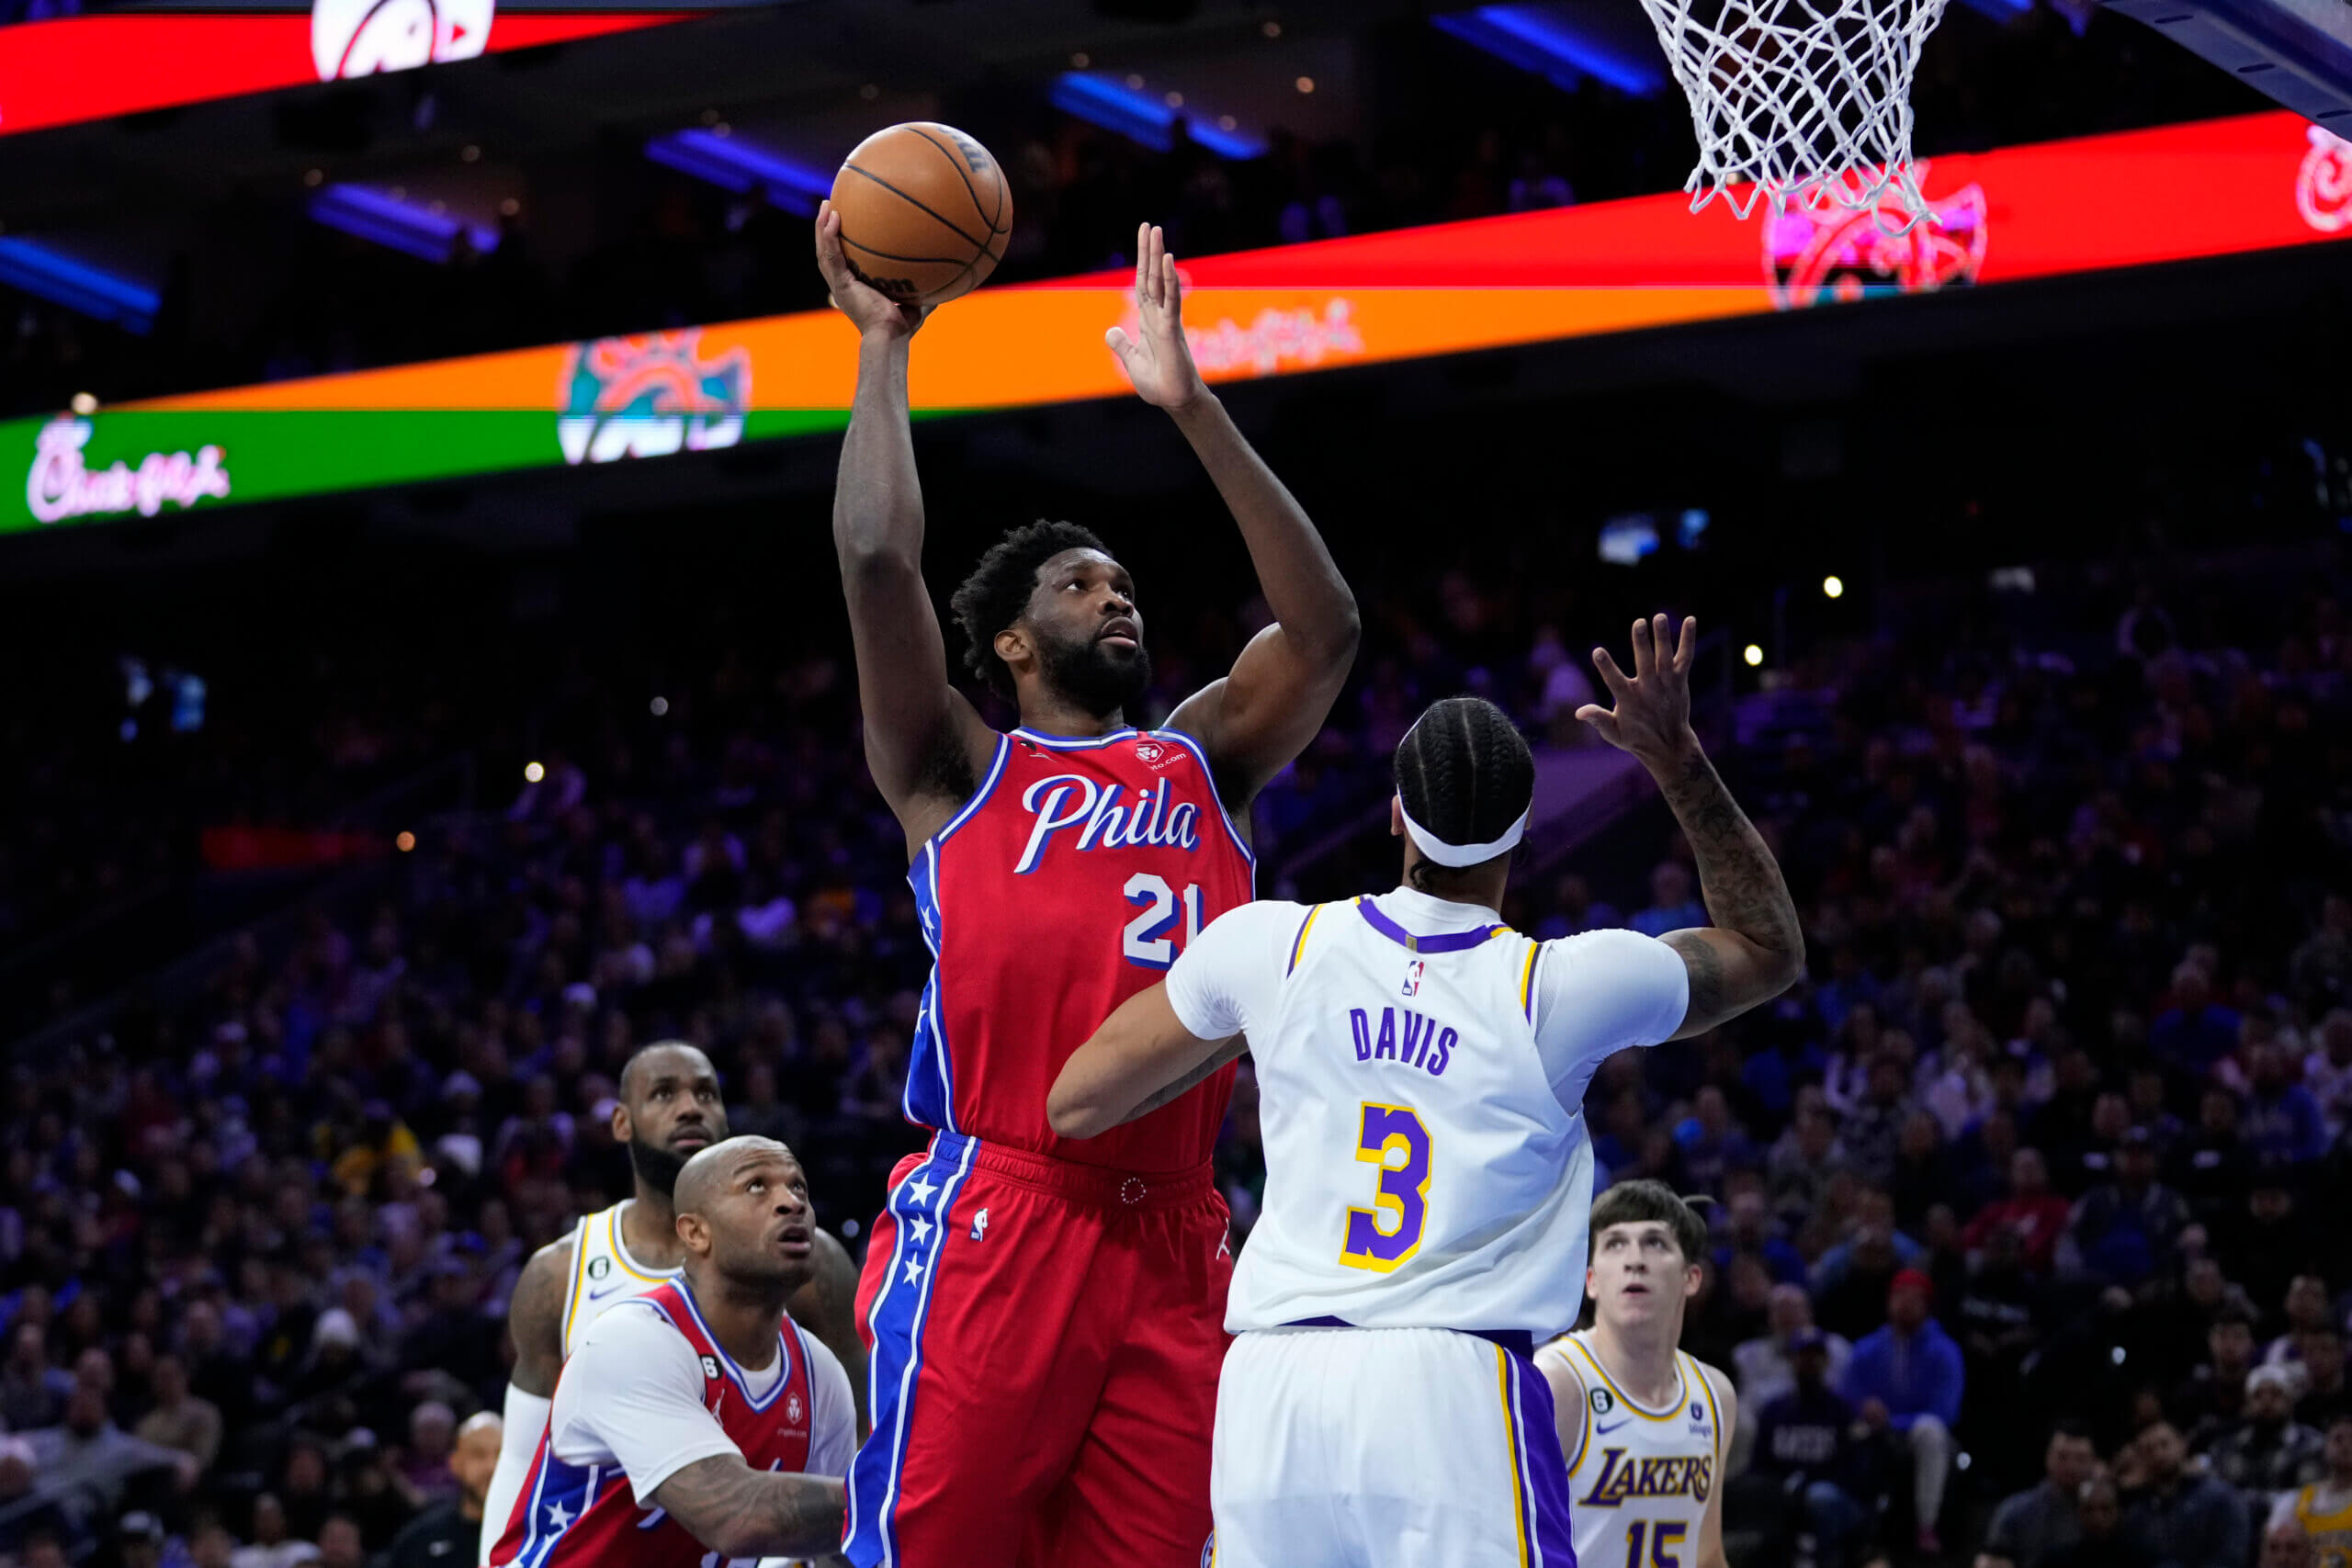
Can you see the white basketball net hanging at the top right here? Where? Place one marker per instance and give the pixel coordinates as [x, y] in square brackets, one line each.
[1800, 102]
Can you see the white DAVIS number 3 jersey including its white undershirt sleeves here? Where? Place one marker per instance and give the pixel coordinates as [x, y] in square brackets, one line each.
[1422, 1076]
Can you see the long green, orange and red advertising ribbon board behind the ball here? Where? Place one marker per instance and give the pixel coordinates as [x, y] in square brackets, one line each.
[2050, 210]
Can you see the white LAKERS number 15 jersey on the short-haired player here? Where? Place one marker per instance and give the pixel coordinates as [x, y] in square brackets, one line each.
[1643, 1477]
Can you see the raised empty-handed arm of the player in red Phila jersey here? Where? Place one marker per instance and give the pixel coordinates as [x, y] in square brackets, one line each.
[1283, 685]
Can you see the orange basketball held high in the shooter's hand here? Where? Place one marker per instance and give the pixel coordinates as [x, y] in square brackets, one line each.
[926, 213]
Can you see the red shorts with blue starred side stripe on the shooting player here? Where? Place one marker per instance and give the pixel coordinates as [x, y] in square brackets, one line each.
[1045, 1343]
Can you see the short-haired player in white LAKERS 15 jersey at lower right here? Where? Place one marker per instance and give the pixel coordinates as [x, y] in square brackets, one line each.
[1643, 1426]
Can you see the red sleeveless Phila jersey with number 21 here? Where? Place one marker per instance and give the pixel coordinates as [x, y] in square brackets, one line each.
[1069, 883]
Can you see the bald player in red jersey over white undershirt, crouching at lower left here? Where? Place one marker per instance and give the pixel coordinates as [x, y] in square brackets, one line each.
[697, 1421]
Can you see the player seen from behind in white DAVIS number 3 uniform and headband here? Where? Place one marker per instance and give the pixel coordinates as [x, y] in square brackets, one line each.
[1417, 1036]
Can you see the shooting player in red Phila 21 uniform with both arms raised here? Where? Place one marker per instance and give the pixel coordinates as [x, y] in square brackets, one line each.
[1045, 1313]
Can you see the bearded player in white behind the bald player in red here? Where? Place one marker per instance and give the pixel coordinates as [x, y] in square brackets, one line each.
[669, 1111]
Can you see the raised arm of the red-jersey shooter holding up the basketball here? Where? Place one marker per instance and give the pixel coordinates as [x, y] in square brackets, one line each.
[923, 739]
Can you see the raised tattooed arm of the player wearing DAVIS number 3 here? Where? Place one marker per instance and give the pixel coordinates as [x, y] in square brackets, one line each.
[1756, 949]
